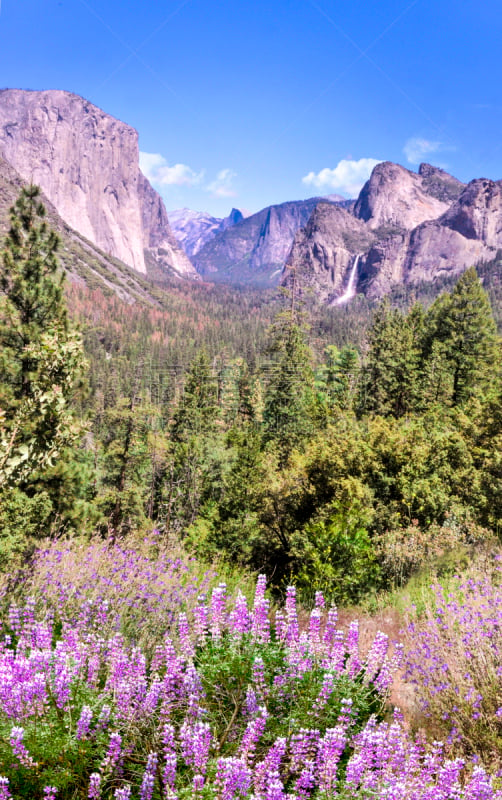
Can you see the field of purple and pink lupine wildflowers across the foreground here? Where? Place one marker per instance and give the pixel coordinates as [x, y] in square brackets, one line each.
[125, 673]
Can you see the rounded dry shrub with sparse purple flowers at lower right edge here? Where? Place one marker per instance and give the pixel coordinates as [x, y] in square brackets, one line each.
[454, 660]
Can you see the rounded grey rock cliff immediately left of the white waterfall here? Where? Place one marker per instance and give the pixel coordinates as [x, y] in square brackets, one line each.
[323, 252]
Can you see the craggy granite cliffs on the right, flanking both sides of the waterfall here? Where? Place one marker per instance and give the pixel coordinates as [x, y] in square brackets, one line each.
[422, 227]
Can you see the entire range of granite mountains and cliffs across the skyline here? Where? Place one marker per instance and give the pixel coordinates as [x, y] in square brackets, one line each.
[403, 229]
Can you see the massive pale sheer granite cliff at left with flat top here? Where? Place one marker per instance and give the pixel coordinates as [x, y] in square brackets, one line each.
[87, 164]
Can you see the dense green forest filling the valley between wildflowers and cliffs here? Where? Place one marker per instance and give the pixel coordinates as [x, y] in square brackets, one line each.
[345, 448]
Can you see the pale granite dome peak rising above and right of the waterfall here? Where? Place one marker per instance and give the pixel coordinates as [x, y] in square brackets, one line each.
[397, 197]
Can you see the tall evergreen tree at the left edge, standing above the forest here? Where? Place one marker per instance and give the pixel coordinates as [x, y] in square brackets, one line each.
[40, 366]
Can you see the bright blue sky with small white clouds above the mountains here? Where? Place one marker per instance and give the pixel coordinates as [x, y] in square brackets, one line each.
[245, 104]
